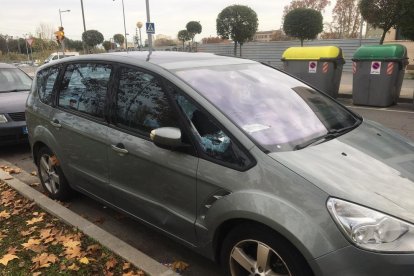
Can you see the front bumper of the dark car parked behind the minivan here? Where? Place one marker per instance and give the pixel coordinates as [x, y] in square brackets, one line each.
[13, 133]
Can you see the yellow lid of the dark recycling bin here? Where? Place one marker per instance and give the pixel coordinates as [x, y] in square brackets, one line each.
[312, 53]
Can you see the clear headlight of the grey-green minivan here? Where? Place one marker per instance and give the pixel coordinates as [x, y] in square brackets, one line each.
[371, 229]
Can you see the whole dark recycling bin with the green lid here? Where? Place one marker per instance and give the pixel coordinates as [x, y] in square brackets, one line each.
[378, 74]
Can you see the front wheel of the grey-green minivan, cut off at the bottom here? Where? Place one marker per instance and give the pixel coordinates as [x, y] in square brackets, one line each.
[252, 249]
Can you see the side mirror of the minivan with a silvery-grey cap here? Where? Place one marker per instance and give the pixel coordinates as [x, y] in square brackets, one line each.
[166, 137]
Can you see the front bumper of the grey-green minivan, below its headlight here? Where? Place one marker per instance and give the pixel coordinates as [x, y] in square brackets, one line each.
[354, 261]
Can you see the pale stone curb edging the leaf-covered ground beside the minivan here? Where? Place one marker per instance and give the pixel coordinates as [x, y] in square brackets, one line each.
[119, 247]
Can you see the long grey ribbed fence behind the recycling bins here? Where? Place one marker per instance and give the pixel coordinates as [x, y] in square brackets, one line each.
[271, 52]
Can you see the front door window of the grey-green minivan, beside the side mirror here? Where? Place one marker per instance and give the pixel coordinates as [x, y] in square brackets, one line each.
[142, 103]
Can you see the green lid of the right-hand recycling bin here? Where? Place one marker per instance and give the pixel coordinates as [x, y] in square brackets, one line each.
[381, 52]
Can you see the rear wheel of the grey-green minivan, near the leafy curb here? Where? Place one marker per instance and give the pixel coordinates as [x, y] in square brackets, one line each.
[51, 175]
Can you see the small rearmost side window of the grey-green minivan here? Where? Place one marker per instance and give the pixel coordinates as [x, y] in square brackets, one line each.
[45, 83]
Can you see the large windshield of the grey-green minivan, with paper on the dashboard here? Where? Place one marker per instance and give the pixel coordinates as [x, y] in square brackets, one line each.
[277, 111]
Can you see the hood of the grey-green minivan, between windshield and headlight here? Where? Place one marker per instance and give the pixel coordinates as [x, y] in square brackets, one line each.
[371, 166]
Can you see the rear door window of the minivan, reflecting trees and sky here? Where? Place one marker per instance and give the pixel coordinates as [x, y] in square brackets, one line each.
[84, 88]
